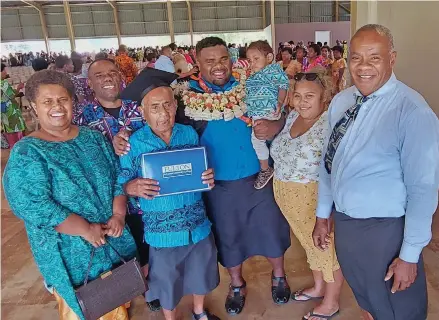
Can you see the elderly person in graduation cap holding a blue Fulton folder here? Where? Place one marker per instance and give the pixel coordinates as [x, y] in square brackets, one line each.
[183, 255]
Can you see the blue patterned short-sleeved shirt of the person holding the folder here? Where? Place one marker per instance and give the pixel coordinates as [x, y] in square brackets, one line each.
[173, 220]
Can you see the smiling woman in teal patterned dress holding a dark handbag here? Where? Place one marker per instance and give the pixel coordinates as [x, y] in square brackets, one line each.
[61, 180]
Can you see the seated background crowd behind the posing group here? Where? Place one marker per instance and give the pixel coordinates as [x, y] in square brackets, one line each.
[172, 58]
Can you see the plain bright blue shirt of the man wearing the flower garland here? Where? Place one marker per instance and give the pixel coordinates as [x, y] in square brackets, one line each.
[228, 143]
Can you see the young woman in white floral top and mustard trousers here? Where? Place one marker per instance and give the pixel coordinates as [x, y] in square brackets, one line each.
[297, 152]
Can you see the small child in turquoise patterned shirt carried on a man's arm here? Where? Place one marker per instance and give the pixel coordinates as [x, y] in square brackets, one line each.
[266, 90]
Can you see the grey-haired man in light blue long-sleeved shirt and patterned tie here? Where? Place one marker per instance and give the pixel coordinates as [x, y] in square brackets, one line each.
[381, 171]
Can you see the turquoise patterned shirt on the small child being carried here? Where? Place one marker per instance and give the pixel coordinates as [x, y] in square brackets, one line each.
[262, 90]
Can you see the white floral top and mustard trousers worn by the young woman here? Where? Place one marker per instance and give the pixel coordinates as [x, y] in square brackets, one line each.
[296, 167]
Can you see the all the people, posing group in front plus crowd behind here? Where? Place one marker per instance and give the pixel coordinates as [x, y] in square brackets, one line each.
[289, 147]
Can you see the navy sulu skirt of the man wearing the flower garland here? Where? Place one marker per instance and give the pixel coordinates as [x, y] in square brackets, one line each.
[246, 222]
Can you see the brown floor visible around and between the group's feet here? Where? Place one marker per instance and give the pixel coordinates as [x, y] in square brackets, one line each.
[25, 298]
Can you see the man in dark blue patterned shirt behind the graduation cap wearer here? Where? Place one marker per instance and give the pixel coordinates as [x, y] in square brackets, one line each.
[111, 115]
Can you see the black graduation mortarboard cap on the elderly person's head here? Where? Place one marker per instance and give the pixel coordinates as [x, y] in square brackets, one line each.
[146, 81]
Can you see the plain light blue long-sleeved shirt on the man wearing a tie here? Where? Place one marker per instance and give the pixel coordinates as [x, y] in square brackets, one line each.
[387, 164]
